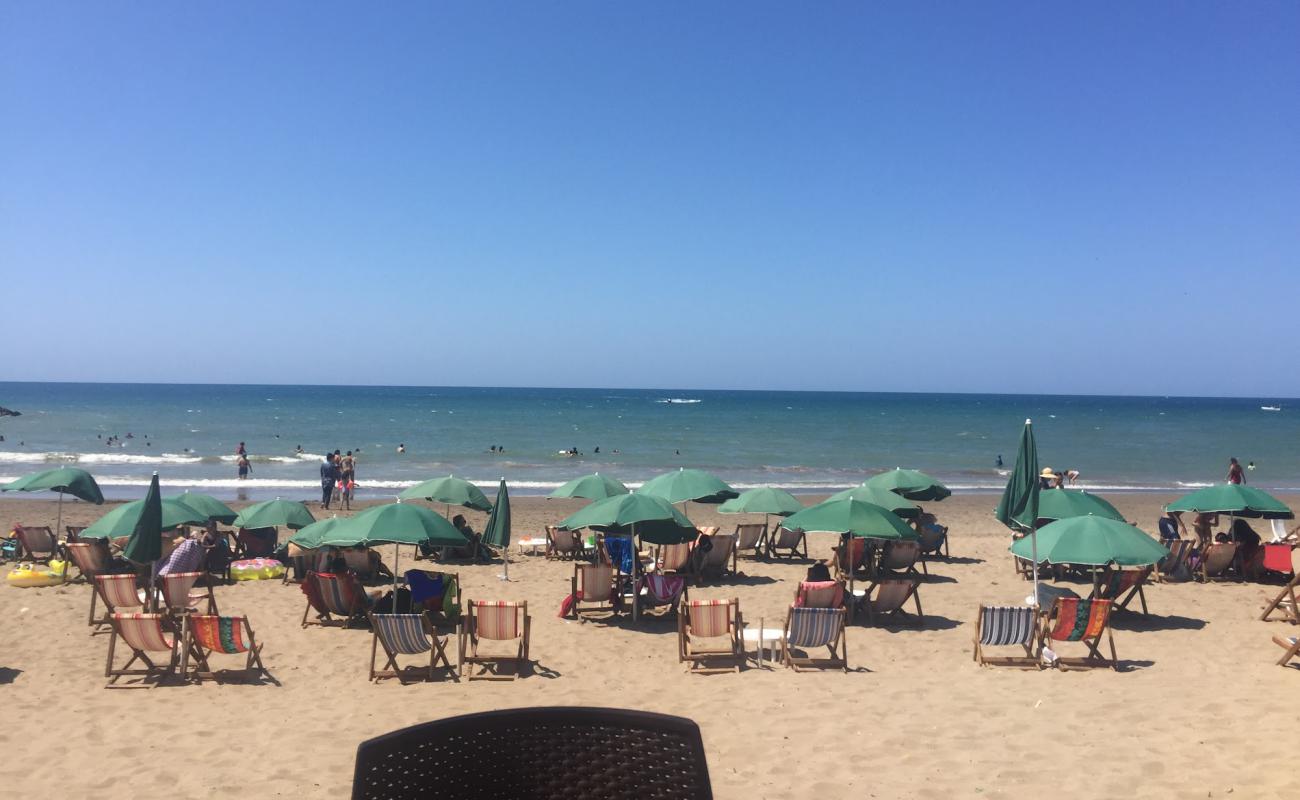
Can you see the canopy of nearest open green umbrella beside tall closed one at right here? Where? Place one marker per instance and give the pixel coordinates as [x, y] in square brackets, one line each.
[1093, 540]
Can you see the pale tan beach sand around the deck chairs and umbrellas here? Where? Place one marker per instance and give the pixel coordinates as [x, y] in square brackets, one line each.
[1198, 711]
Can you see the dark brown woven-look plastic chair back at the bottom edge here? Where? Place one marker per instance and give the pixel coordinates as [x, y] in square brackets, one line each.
[621, 754]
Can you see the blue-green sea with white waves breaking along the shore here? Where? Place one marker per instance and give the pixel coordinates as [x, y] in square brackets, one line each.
[804, 442]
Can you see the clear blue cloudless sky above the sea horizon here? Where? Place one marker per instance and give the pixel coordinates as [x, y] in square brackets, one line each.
[955, 197]
